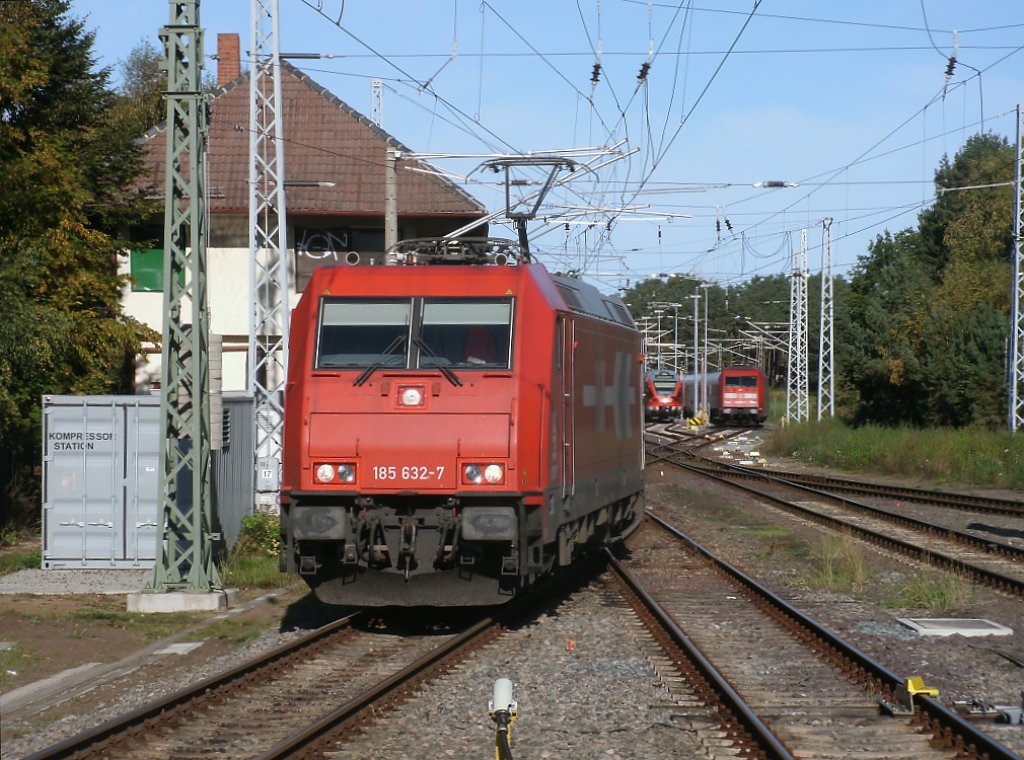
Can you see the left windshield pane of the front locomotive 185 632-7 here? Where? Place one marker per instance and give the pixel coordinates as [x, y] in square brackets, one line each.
[363, 333]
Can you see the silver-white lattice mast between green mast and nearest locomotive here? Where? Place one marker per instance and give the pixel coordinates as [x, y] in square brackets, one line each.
[269, 250]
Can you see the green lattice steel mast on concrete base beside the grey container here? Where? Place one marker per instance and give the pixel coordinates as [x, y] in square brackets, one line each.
[185, 545]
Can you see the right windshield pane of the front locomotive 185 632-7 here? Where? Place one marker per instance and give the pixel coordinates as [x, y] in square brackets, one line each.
[470, 334]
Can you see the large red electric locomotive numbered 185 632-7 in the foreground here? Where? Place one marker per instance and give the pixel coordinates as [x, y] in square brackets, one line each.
[458, 424]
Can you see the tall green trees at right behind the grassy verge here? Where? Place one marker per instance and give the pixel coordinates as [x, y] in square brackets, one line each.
[930, 307]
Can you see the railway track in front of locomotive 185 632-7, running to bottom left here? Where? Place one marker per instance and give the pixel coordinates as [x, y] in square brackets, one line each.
[280, 704]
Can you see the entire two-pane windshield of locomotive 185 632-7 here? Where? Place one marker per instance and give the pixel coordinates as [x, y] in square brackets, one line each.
[415, 333]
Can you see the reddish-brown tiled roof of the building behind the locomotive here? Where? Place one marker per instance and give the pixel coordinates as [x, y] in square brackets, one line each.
[325, 141]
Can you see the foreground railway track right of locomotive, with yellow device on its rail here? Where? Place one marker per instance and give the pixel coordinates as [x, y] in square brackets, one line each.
[817, 694]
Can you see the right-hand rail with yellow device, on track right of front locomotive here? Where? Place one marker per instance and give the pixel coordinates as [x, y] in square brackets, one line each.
[935, 716]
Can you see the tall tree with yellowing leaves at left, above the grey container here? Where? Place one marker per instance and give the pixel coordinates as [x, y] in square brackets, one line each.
[68, 177]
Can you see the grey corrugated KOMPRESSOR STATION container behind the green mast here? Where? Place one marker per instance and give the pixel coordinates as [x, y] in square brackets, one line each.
[102, 479]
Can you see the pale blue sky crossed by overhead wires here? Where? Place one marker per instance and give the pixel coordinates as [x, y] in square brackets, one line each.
[849, 106]
